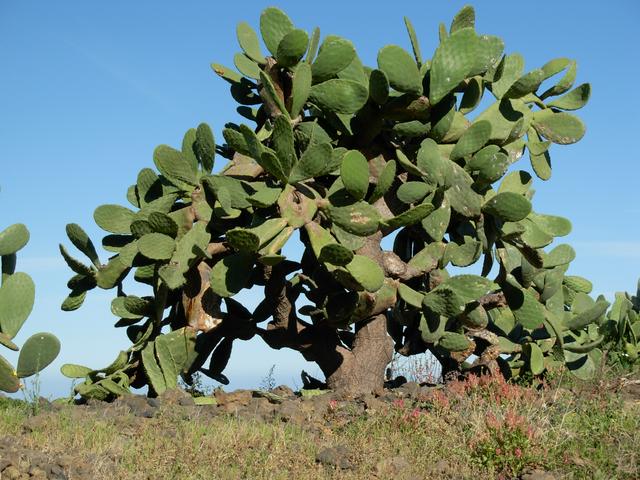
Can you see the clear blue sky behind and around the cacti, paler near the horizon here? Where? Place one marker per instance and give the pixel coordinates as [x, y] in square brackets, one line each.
[88, 89]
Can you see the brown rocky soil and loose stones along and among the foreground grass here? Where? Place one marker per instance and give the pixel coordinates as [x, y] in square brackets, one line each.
[314, 411]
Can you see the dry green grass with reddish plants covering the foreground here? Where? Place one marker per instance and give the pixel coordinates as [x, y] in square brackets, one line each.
[480, 428]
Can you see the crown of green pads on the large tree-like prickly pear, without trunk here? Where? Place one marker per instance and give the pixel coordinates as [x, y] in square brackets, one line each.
[337, 156]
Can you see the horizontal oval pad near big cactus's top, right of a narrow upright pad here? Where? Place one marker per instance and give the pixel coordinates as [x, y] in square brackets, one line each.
[339, 96]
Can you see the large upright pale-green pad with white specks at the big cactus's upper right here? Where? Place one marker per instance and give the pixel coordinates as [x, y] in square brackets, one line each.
[453, 61]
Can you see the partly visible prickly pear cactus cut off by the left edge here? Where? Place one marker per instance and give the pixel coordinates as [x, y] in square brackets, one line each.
[17, 294]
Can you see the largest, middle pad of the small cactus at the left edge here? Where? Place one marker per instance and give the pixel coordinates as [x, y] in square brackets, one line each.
[17, 295]
